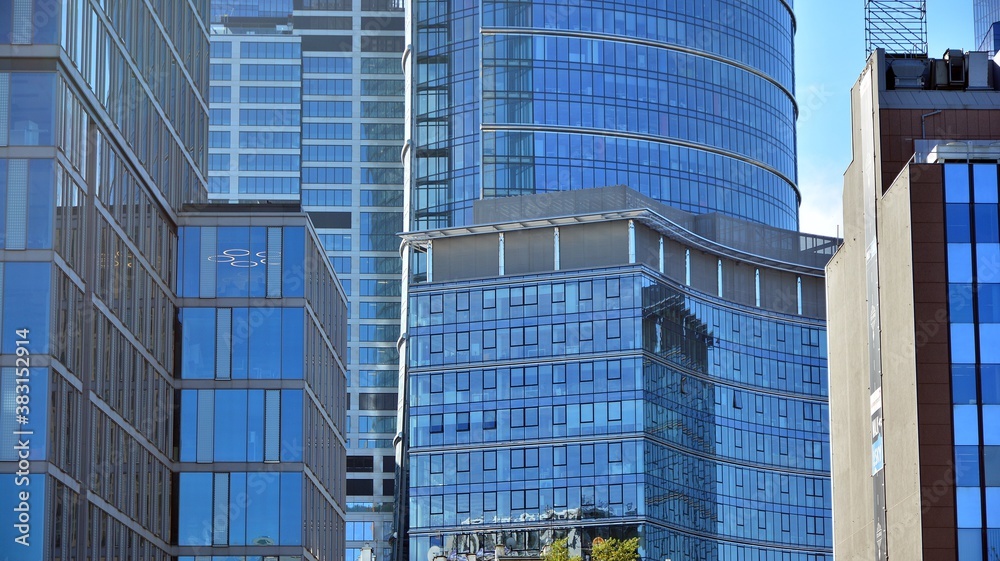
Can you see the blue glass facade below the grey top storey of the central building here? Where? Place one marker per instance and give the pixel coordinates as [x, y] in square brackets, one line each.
[619, 401]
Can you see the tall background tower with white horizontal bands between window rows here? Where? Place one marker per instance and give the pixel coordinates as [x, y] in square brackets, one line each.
[306, 104]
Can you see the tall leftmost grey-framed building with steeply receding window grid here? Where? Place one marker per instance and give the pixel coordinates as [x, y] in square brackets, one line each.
[97, 152]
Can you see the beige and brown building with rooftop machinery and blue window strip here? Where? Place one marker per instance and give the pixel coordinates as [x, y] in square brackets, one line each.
[913, 381]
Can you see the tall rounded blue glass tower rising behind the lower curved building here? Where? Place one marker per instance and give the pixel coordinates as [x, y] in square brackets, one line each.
[691, 104]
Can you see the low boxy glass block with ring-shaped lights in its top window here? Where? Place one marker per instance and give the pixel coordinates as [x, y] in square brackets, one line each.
[261, 407]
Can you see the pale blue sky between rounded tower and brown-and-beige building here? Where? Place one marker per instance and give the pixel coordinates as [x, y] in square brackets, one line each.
[829, 56]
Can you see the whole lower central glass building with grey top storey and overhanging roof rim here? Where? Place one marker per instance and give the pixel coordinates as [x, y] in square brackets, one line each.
[595, 364]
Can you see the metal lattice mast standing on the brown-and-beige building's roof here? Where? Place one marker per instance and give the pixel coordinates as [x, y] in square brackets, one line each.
[898, 26]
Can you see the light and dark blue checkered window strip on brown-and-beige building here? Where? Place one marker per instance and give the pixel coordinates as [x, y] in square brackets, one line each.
[973, 249]
